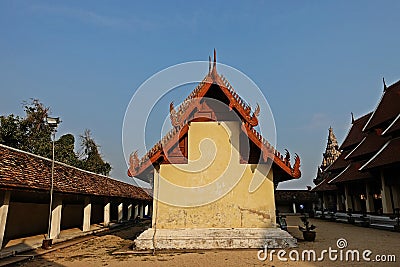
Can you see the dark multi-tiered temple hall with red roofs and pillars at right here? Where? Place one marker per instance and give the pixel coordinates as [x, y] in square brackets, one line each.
[365, 177]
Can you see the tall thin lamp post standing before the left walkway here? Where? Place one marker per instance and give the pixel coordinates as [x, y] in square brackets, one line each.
[52, 123]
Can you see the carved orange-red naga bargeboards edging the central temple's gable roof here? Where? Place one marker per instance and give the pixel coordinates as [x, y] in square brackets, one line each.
[179, 119]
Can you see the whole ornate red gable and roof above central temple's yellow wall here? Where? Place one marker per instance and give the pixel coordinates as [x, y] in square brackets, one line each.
[199, 106]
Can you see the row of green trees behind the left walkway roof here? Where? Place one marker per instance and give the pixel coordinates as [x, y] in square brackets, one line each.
[33, 135]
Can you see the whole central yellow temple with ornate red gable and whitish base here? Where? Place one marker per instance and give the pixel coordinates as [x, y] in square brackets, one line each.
[224, 191]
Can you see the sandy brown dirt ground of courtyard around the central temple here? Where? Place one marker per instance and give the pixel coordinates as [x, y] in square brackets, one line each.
[98, 251]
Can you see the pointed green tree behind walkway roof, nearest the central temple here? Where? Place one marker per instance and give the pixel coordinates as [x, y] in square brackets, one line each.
[90, 155]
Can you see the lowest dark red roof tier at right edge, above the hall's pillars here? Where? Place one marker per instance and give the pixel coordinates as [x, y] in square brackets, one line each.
[387, 155]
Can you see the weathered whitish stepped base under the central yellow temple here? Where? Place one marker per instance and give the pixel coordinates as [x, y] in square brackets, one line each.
[214, 238]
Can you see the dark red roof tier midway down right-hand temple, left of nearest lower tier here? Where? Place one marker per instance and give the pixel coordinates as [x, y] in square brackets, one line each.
[370, 144]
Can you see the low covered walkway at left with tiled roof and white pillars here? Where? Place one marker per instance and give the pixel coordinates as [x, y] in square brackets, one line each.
[82, 201]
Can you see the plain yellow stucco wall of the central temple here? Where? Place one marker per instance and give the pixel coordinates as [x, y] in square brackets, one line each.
[213, 190]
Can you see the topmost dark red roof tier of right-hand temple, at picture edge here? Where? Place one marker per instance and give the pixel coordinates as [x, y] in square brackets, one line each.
[388, 107]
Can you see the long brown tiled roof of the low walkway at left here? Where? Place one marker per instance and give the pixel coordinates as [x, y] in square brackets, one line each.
[22, 170]
